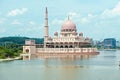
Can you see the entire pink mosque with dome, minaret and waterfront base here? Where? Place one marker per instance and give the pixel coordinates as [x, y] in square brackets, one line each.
[66, 44]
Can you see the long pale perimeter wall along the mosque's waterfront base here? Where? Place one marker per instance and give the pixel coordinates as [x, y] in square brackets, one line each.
[66, 50]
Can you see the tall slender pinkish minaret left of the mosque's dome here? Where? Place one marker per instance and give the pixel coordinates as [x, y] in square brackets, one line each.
[46, 34]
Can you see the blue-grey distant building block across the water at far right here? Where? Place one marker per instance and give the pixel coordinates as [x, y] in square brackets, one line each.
[109, 43]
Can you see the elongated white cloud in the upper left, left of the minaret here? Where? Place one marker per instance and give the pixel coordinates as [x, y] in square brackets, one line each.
[16, 12]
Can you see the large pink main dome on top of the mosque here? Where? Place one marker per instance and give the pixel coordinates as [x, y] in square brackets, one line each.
[68, 25]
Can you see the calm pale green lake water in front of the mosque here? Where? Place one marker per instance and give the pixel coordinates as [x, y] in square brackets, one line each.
[104, 66]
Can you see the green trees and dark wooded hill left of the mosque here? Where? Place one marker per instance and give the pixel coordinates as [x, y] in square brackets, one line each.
[11, 47]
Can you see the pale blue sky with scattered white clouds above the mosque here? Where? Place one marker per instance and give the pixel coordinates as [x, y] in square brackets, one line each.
[97, 19]
